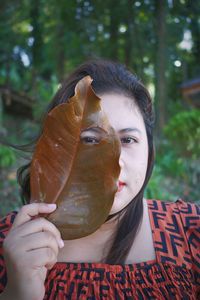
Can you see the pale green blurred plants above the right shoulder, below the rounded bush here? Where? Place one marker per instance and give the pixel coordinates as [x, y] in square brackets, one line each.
[174, 176]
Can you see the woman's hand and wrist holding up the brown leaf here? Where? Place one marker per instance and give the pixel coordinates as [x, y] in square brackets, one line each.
[30, 248]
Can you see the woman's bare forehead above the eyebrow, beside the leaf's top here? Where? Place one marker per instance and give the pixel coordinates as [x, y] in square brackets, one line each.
[122, 111]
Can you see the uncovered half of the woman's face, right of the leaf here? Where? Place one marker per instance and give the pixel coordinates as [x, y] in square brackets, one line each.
[125, 117]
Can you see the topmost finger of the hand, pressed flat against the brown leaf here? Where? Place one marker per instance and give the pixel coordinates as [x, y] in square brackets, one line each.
[27, 212]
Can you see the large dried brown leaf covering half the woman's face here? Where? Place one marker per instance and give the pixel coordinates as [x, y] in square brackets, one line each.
[80, 178]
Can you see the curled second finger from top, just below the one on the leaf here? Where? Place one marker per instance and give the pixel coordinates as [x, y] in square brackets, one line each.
[39, 225]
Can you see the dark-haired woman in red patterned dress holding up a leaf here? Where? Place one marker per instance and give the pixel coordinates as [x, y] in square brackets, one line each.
[146, 249]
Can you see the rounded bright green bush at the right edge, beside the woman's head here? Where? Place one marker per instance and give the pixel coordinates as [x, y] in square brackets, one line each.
[183, 133]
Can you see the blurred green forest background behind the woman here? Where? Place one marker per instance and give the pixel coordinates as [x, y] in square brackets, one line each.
[43, 41]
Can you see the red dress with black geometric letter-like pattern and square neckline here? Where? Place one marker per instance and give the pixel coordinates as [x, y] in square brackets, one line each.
[174, 274]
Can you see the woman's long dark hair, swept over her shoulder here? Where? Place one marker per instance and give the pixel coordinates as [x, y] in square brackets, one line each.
[109, 77]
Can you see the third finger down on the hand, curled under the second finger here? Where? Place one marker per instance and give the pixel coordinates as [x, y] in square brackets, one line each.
[40, 240]
